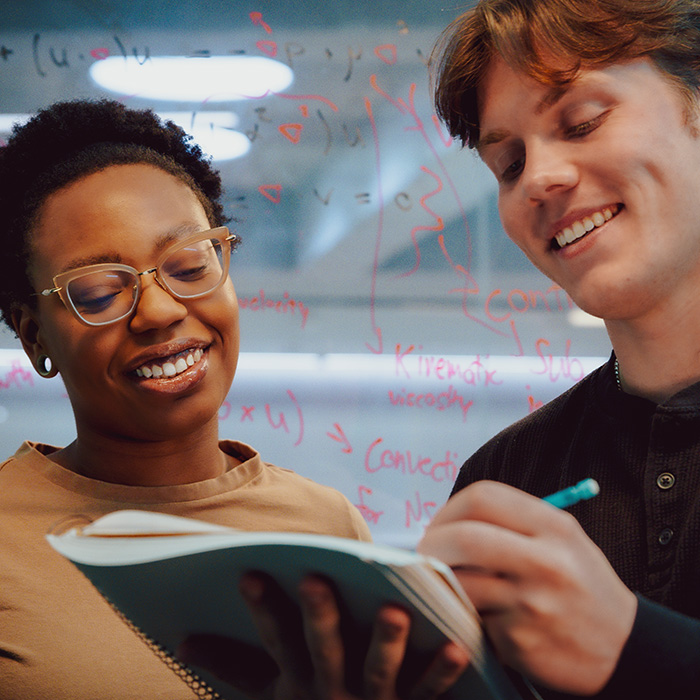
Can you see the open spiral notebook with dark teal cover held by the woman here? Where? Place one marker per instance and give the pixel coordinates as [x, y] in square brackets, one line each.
[170, 577]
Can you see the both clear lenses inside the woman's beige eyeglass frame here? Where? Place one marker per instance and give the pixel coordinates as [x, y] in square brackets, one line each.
[106, 295]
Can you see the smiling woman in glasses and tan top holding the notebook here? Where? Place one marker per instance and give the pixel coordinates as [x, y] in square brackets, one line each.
[116, 260]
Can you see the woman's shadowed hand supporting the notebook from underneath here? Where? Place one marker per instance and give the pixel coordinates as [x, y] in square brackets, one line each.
[314, 654]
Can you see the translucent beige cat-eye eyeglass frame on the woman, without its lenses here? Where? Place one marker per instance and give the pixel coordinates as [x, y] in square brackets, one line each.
[61, 281]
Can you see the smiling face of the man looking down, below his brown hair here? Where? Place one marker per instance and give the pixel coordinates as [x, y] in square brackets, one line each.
[598, 184]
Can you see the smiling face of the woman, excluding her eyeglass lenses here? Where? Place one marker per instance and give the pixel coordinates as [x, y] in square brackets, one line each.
[129, 214]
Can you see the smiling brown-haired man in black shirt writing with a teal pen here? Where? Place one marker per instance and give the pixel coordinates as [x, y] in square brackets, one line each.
[587, 113]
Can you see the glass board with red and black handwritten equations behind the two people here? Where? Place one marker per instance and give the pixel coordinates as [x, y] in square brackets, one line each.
[388, 326]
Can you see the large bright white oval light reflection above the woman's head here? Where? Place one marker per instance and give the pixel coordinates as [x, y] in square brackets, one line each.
[178, 78]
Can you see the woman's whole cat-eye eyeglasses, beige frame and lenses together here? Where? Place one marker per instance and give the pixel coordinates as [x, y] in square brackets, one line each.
[107, 292]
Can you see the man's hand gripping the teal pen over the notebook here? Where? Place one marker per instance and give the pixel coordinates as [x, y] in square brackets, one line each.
[551, 603]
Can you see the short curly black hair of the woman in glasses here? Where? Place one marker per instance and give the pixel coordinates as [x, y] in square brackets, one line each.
[68, 141]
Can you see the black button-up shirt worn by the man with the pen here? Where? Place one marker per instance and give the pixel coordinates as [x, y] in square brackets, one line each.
[646, 458]
